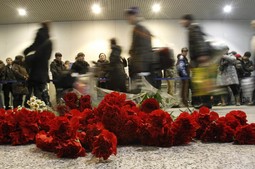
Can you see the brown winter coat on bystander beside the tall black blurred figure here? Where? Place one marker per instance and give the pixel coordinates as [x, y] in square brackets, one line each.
[21, 76]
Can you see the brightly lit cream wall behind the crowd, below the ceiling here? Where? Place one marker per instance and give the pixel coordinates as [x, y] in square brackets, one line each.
[92, 37]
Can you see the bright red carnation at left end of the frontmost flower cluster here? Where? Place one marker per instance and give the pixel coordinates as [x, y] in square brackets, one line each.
[45, 142]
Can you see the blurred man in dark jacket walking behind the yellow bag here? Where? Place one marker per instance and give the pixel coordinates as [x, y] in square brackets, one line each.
[199, 54]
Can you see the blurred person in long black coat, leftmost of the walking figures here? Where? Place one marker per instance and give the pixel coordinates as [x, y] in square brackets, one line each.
[38, 63]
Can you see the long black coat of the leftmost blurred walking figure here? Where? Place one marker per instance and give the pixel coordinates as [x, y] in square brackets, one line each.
[38, 63]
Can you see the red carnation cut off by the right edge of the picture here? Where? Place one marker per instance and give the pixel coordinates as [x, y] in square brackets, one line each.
[245, 134]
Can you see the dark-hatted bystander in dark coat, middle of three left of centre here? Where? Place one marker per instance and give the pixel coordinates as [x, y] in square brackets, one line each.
[80, 65]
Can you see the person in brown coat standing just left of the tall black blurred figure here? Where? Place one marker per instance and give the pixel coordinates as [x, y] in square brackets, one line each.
[19, 88]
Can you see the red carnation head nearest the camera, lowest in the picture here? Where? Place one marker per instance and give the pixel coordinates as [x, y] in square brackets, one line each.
[105, 145]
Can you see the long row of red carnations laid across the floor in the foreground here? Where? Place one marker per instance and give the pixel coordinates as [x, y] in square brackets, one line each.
[81, 128]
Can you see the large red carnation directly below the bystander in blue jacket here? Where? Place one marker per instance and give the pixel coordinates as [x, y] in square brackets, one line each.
[184, 129]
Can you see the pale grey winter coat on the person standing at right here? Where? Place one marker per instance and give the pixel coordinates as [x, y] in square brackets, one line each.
[228, 74]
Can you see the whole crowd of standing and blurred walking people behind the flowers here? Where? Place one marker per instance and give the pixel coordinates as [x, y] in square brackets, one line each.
[28, 74]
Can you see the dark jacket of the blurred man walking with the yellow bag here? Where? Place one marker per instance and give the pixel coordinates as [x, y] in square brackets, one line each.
[197, 45]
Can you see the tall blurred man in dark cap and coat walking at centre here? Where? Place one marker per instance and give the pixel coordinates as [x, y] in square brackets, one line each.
[141, 53]
